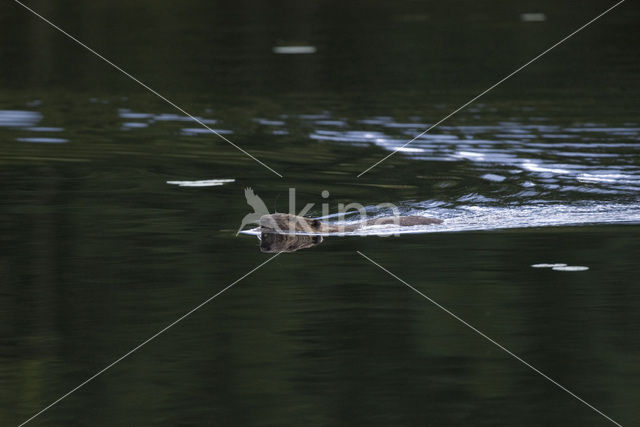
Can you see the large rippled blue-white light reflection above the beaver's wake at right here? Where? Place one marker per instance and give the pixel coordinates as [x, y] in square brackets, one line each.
[547, 157]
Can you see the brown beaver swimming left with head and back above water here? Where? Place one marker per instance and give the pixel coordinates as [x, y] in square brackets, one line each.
[287, 223]
